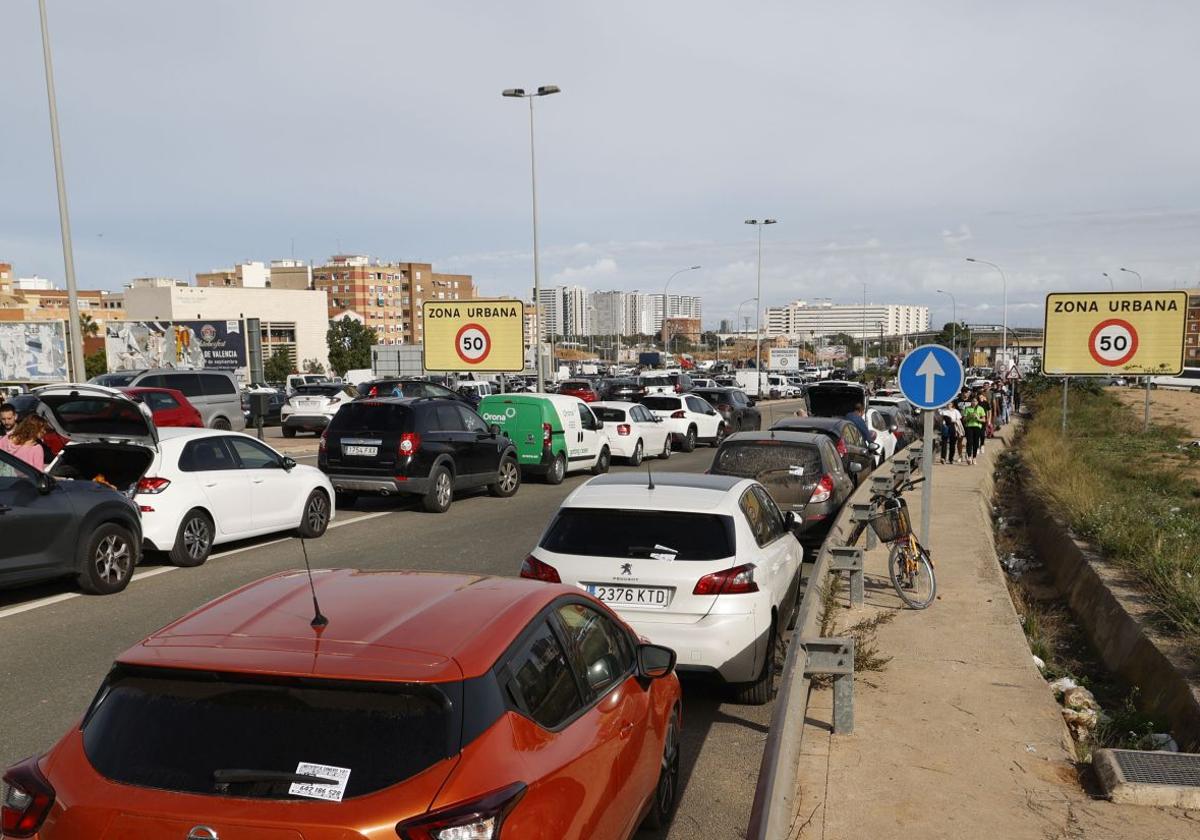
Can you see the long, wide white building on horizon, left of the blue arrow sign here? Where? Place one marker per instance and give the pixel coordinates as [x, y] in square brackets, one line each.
[800, 320]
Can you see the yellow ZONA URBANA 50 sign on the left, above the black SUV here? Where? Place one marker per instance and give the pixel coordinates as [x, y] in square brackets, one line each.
[475, 335]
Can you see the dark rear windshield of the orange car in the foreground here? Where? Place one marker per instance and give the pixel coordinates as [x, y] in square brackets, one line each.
[175, 730]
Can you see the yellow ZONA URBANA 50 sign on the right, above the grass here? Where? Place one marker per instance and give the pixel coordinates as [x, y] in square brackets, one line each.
[1114, 333]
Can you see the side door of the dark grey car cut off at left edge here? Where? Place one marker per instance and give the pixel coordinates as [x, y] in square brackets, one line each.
[39, 529]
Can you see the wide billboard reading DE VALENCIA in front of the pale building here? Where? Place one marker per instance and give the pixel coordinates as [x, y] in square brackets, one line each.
[139, 345]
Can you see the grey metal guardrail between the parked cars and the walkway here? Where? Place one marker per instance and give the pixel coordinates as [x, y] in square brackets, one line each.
[808, 656]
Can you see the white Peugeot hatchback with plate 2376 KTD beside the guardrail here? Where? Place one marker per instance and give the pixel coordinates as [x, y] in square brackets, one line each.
[704, 565]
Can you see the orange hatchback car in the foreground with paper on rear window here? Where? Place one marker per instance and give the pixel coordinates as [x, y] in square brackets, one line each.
[430, 707]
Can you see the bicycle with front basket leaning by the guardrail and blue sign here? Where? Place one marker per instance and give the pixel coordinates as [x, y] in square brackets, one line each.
[910, 567]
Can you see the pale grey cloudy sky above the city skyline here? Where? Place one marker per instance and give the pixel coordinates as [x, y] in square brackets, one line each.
[891, 141]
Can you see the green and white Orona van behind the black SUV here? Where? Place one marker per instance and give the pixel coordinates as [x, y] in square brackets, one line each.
[555, 434]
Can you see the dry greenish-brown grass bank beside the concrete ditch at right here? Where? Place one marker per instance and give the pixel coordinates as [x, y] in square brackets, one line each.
[1118, 489]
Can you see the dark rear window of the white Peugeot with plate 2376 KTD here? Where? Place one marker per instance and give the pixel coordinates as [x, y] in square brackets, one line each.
[640, 533]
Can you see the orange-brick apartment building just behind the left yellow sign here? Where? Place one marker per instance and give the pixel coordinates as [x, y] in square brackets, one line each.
[388, 296]
